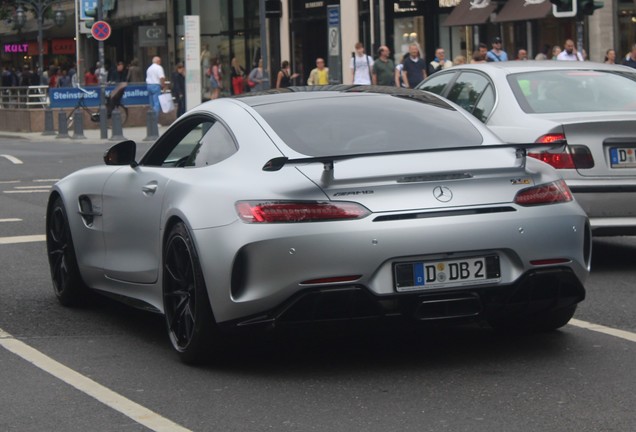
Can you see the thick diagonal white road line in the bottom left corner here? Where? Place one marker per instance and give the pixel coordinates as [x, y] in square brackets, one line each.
[133, 410]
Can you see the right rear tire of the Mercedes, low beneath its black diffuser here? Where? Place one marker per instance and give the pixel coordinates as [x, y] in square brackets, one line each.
[544, 322]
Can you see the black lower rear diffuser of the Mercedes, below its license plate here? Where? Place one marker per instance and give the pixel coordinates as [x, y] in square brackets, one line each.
[536, 292]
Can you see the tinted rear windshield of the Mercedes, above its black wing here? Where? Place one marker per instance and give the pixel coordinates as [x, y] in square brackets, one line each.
[355, 124]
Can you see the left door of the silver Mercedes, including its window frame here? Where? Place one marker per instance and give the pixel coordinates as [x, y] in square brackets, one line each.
[133, 201]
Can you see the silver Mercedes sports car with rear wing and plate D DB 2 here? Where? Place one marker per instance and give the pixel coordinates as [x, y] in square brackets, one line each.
[321, 204]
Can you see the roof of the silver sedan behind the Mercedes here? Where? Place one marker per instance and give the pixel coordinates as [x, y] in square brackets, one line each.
[534, 65]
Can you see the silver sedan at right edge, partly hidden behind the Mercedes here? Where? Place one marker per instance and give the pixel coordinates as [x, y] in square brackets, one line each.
[590, 105]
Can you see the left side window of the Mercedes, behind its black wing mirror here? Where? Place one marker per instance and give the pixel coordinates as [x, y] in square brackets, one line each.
[195, 142]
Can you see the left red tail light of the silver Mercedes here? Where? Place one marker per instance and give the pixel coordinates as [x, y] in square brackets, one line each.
[298, 211]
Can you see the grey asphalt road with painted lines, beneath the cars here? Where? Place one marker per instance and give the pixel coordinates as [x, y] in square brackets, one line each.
[461, 379]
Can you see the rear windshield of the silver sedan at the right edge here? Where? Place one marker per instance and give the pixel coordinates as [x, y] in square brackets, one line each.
[574, 91]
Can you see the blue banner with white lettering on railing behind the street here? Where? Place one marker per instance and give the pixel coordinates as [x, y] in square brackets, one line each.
[67, 97]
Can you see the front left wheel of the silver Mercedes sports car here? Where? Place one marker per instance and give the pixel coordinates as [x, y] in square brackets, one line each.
[69, 288]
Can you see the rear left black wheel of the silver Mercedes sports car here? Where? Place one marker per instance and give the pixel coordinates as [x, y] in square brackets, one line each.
[189, 319]
